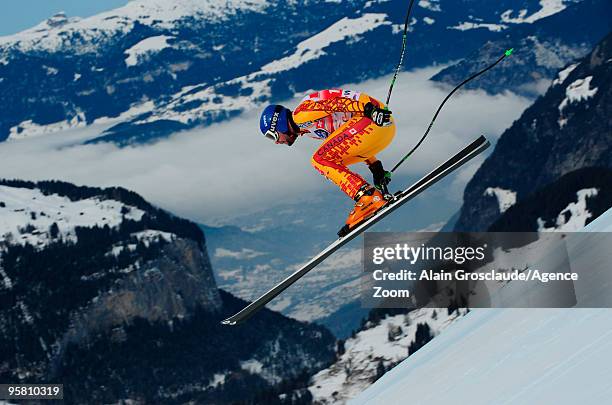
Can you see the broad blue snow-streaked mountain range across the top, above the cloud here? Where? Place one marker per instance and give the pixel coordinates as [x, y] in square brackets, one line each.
[158, 67]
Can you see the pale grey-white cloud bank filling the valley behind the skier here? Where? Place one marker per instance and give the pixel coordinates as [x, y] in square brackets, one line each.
[229, 169]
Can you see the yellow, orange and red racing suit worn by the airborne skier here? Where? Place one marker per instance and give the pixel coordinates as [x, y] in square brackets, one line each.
[336, 117]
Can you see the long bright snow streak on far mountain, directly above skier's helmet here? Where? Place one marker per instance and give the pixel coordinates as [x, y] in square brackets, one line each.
[312, 48]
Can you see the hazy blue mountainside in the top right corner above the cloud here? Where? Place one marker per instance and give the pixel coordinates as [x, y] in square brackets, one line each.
[541, 49]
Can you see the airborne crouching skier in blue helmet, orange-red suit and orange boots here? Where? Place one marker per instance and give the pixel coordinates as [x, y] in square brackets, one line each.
[354, 127]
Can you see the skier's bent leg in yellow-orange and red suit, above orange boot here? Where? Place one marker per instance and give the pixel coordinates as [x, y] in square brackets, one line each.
[356, 141]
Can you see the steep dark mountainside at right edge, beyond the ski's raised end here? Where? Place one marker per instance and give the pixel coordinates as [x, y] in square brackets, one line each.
[565, 130]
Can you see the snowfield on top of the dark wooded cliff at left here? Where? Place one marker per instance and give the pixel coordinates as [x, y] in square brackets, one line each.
[22, 204]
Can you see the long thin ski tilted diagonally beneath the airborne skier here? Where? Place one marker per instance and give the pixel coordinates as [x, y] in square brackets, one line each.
[399, 199]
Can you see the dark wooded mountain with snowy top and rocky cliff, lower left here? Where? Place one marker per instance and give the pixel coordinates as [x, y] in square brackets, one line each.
[101, 290]
